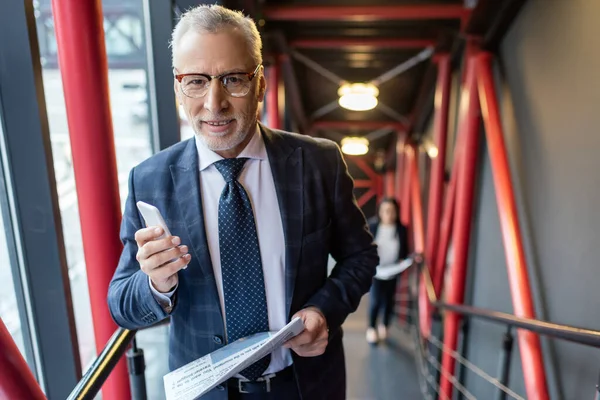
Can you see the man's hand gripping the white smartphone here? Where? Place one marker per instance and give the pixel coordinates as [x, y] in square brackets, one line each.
[155, 255]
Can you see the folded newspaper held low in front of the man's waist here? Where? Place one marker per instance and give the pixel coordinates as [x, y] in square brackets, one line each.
[198, 377]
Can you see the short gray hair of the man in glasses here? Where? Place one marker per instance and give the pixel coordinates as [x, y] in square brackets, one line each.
[214, 18]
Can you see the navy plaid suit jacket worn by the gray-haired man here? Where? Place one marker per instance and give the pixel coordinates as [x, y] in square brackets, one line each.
[319, 217]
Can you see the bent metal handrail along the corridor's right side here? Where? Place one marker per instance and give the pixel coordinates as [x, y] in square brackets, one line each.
[570, 333]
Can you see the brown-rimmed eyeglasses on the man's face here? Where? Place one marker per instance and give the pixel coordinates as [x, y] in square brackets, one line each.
[236, 84]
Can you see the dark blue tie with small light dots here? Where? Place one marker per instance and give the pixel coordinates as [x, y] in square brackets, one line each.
[241, 267]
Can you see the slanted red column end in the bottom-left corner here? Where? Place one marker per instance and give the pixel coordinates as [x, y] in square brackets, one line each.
[16, 379]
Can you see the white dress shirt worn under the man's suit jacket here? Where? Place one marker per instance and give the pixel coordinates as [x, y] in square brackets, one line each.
[257, 179]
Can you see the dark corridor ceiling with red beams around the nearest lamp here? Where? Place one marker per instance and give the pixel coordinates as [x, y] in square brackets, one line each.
[321, 43]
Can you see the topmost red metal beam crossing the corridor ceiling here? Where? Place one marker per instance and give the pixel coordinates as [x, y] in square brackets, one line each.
[364, 13]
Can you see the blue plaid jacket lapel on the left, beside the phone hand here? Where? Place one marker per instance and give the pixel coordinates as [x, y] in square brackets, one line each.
[186, 180]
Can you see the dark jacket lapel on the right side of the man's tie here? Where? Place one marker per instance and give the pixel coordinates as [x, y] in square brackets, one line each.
[286, 167]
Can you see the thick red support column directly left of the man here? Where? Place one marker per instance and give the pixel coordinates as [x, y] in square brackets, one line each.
[84, 69]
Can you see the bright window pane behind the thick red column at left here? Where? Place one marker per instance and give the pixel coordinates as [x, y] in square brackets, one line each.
[125, 46]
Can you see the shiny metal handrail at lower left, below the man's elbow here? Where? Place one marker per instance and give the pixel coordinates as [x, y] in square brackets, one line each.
[98, 372]
